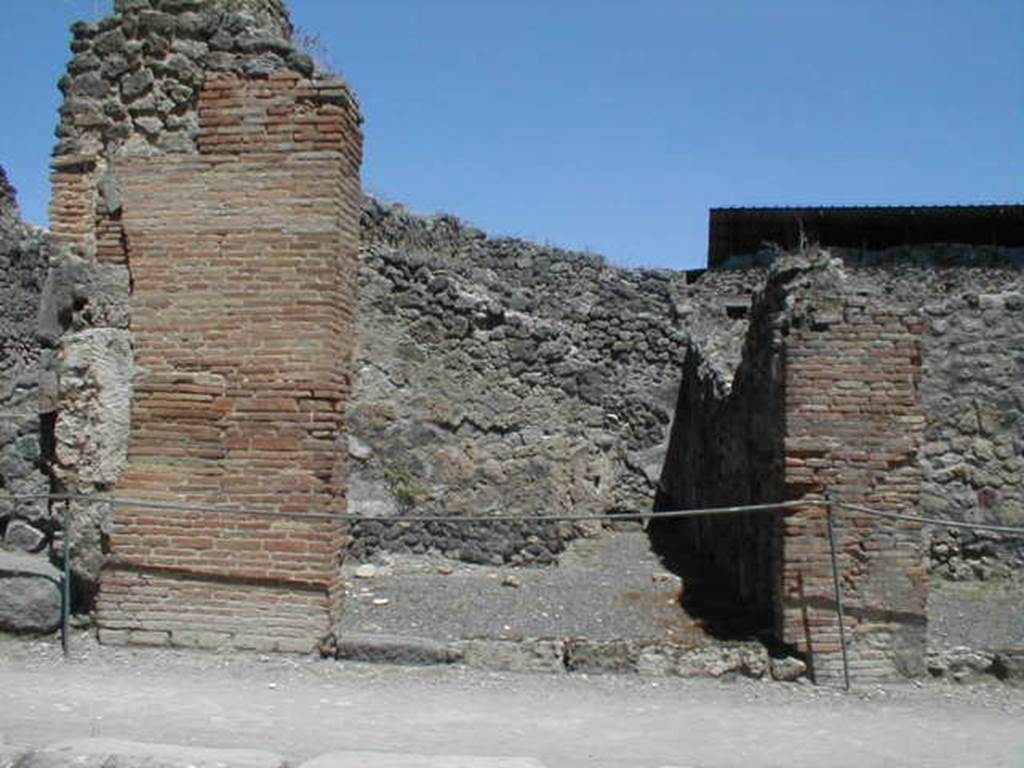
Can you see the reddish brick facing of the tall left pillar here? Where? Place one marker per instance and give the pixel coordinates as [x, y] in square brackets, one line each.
[243, 264]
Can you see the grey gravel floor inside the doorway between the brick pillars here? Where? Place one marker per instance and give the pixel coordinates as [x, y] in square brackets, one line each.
[604, 589]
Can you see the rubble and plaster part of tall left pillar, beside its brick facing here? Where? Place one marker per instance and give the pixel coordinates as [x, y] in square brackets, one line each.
[133, 91]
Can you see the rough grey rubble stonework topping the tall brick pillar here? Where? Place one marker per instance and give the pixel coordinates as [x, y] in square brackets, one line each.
[134, 82]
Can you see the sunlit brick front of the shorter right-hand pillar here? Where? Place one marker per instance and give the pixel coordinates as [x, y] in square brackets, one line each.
[854, 425]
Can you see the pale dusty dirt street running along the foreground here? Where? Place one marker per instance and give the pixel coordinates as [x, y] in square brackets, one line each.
[302, 708]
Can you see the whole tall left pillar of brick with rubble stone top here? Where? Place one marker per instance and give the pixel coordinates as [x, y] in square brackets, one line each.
[207, 191]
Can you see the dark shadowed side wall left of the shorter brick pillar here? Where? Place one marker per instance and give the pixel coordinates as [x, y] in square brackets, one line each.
[727, 449]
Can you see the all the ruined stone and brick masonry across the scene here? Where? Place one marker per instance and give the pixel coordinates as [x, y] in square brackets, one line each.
[198, 319]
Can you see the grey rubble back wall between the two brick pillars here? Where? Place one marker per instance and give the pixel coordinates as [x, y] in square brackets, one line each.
[499, 376]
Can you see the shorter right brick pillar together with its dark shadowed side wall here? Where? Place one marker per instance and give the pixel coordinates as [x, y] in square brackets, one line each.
[826, 400]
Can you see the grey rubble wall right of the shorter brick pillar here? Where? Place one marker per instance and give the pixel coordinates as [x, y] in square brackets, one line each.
[972, 395]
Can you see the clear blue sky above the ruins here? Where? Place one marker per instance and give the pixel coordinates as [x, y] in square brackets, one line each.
[614, 125]
